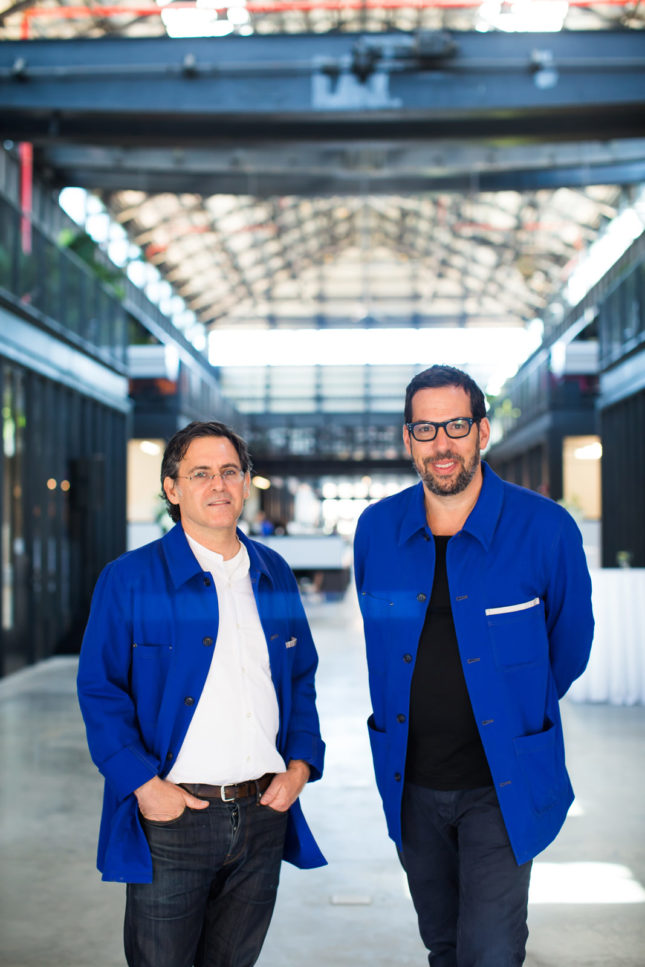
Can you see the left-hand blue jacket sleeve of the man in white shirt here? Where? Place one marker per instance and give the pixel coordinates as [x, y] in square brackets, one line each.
[108, 710]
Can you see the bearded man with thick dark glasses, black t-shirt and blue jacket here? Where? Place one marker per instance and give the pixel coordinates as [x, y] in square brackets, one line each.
[476, 602]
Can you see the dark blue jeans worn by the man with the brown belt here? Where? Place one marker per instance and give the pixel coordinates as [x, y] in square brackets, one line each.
[215, 878]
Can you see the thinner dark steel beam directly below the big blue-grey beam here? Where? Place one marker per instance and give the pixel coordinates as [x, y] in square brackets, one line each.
[326, 169]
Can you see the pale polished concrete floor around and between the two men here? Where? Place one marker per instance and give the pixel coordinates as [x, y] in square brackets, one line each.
[588, 889]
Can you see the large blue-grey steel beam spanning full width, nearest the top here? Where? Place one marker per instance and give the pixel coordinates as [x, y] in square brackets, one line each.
[268, 89]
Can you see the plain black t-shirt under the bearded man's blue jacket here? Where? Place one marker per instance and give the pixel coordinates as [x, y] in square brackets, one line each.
[444, 747]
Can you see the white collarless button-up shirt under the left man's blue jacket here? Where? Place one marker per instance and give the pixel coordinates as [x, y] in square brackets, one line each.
[232, 736]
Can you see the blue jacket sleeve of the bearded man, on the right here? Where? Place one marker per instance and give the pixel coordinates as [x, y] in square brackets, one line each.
[569, 616]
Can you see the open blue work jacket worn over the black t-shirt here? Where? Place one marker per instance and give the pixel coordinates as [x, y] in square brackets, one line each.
[521, 601]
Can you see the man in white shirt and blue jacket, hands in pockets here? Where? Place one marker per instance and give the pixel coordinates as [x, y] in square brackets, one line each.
[196, 683]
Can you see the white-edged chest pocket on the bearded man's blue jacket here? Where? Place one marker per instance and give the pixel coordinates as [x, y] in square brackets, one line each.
[518, 633]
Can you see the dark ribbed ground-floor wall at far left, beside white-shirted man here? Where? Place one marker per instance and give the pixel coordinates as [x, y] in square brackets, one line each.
[62, 466]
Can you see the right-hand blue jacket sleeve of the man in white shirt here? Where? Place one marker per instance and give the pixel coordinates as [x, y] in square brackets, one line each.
[303, 739]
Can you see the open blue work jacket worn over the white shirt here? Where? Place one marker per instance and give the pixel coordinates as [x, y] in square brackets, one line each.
[145, 656]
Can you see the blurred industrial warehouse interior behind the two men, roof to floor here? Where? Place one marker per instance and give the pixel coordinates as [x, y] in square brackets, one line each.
[274, 214]
